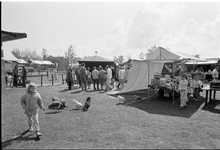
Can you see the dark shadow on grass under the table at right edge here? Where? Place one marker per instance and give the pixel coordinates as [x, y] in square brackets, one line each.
[213, 106]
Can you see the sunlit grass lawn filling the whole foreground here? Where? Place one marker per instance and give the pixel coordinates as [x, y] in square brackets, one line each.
[151, 123]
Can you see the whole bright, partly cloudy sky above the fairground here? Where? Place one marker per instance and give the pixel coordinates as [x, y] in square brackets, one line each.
[114, 28]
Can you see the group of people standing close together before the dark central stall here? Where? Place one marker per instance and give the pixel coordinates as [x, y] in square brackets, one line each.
[101, 78]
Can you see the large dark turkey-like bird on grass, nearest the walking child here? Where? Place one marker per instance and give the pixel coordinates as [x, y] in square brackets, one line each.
[57, 104]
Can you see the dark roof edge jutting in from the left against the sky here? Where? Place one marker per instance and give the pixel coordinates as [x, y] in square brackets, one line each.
[9, 36]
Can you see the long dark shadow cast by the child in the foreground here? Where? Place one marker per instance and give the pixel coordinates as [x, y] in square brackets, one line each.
[20, 137]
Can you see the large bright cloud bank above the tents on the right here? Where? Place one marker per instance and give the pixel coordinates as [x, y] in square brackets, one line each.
[146, 28]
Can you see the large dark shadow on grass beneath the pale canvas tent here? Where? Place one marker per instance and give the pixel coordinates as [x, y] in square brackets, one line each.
[165, 106]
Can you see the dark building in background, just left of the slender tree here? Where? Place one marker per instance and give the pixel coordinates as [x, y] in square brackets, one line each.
[60, 62]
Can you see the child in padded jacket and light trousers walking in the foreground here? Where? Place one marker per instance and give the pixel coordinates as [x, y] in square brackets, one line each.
[31, 101]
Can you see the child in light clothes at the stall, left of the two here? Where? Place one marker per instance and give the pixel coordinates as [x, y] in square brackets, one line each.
[183, 91]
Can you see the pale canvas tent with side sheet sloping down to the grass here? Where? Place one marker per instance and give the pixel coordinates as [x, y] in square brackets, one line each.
[143, 71]
